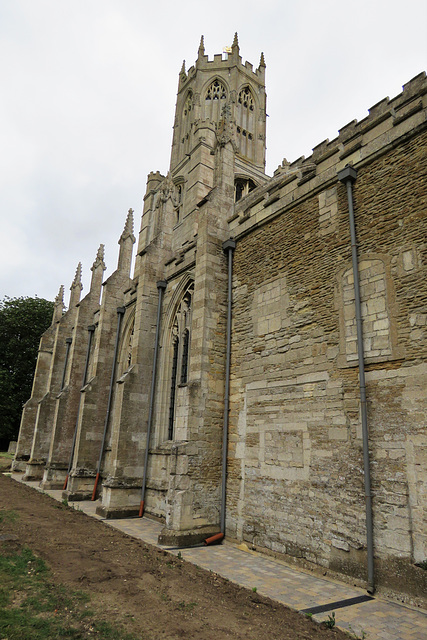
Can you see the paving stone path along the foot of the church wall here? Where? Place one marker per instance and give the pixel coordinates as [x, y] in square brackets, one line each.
[377, 618]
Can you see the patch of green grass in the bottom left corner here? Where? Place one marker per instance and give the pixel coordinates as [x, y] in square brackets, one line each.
[32, 607]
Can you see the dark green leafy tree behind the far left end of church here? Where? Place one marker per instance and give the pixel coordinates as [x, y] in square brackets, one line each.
[22, 322]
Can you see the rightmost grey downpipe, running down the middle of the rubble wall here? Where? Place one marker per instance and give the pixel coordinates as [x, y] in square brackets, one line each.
[347, 176]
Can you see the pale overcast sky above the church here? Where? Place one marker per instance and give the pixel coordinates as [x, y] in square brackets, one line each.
[88, 91]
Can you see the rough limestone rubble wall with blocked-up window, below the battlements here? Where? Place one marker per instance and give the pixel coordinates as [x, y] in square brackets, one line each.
[295, 481]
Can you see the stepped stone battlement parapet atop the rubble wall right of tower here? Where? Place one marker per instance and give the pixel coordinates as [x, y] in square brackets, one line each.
[357, 144]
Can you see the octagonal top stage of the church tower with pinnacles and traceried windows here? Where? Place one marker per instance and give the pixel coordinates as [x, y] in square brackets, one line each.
[210, 93]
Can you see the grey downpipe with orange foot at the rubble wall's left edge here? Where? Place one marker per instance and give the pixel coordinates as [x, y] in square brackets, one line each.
[228, 246]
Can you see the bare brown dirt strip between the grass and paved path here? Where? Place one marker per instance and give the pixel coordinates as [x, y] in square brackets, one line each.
[150, 592]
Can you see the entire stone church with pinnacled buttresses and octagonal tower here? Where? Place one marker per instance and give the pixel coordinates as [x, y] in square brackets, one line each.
[263, 372]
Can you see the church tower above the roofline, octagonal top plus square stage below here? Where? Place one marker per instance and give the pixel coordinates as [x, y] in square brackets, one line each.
[217, 99]
